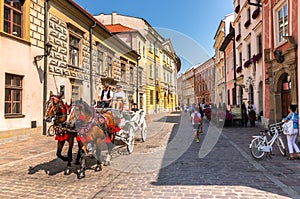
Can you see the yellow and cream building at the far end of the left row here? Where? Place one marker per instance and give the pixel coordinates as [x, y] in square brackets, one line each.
[160, 62]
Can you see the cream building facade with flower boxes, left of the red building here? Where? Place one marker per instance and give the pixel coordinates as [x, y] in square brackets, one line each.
[248, 38]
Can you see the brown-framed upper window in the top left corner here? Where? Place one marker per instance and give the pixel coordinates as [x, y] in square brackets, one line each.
[13, 13]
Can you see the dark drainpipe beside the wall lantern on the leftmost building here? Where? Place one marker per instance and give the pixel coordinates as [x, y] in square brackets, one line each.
[45, 64]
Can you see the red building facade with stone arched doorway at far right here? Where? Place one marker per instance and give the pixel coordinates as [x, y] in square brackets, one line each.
[280, 39]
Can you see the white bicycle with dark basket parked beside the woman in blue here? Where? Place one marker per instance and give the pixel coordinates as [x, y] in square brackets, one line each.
[260, 145]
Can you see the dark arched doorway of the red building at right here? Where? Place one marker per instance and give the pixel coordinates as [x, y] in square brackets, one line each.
[286, 97]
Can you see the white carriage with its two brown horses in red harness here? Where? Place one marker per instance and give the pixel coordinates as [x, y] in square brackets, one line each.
[93, 126]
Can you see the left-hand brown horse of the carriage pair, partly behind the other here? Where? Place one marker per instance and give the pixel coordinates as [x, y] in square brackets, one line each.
[57, 113]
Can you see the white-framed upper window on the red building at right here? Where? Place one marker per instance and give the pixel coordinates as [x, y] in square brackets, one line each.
[282, 22]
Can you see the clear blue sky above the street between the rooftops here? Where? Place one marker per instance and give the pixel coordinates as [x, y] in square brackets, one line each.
[191, 25]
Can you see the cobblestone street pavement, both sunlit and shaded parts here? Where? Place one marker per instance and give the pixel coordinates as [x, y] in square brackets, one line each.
[168, 165]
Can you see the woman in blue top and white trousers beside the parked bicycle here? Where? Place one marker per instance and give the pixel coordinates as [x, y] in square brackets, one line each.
[291, 138]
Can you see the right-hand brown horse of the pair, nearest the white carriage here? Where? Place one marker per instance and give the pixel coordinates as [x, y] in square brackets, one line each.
[93, 128]
